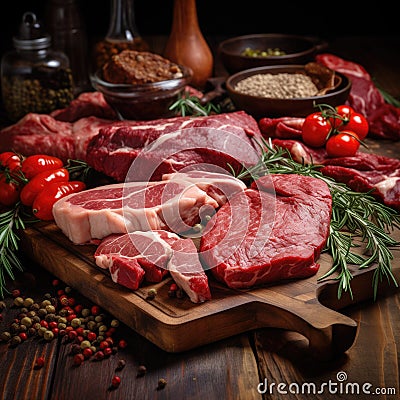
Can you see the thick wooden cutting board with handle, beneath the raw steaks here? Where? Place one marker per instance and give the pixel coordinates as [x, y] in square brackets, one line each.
[307, 306]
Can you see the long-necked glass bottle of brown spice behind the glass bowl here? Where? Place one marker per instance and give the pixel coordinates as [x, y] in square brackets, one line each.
[122, 33]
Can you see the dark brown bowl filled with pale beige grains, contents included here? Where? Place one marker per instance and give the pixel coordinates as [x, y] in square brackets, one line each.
[287, 90]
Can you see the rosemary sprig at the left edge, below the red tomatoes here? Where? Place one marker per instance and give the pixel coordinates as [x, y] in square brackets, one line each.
[11, 221]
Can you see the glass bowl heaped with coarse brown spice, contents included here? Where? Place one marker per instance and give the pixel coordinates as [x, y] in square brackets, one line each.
[141, 85]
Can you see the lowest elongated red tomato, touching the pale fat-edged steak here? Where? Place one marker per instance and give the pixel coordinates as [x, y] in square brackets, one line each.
[42, 206]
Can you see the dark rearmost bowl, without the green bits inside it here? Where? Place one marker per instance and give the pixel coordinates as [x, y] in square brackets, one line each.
[298, 50]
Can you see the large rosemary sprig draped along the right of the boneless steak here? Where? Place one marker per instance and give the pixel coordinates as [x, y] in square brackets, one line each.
[355, 217]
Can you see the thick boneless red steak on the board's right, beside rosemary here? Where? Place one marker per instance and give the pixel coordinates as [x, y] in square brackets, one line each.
[272, 231]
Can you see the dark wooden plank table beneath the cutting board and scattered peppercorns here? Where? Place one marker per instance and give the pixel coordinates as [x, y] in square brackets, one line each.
[240, 367]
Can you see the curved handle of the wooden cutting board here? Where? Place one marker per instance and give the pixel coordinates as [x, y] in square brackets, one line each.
[329, 332]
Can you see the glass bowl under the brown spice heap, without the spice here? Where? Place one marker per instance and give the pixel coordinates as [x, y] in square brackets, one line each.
[143, 102]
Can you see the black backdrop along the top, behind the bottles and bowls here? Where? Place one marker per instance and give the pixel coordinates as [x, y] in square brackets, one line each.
[225, 17]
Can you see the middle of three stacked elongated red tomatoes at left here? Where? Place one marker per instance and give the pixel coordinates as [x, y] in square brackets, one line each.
[40, 181]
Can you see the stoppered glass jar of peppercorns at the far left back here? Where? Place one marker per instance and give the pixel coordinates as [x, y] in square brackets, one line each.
[34, 77]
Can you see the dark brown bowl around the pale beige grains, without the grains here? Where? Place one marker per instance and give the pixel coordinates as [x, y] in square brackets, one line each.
[259, 107]
